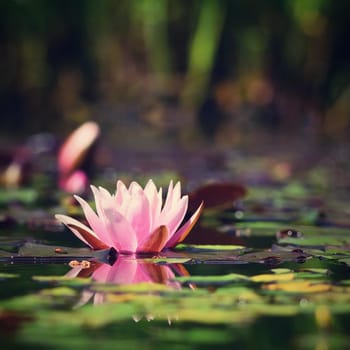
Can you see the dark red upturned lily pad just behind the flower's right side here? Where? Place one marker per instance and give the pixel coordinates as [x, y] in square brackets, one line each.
[216, 195]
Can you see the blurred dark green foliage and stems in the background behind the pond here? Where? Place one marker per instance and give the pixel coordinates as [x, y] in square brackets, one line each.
[225, 65]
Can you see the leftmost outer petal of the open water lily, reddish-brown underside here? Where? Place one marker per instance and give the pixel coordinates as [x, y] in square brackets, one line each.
[83, 232]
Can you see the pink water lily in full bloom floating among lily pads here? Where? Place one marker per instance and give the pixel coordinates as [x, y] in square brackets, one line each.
[134, 219]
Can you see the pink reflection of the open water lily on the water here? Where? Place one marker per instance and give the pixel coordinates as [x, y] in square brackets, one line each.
[127, 270]
